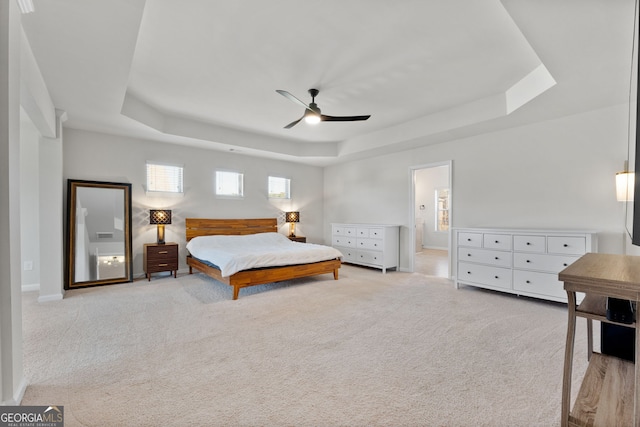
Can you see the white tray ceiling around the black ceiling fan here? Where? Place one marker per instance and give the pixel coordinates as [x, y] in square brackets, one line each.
[204, 72]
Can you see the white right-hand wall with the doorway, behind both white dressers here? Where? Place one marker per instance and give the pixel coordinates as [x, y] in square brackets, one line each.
[554, 174]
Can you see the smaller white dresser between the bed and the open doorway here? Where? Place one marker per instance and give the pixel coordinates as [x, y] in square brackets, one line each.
[373, 245]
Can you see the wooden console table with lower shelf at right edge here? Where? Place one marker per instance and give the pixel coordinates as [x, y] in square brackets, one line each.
[610, 390]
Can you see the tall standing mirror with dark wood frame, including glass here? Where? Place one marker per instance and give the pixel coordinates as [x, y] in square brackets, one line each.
[98, 233]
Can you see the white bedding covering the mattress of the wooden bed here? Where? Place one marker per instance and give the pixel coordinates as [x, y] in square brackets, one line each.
[235, 253]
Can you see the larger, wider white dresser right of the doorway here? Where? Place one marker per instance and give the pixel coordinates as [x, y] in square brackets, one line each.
[523, 262]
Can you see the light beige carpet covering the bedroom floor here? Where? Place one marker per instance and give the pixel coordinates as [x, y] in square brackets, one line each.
[370, 349]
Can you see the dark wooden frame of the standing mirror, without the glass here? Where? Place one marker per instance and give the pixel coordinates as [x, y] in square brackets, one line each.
[72, 186]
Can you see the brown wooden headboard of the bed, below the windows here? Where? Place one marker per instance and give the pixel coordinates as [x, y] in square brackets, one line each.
[211, 227]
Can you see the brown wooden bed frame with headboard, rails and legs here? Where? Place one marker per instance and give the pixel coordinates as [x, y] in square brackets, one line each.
[258, 276]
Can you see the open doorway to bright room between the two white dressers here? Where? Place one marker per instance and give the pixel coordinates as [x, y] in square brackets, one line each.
[431, 213]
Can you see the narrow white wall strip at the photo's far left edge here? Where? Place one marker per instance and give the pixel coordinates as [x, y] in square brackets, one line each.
[12, 380]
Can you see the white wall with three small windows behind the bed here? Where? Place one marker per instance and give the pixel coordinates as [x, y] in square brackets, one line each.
[101, 157]
